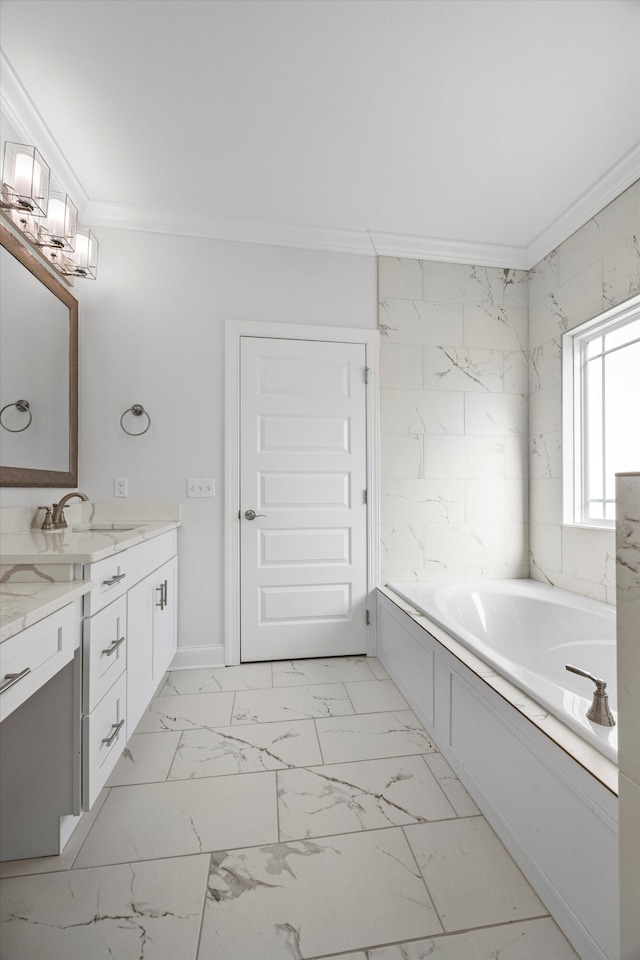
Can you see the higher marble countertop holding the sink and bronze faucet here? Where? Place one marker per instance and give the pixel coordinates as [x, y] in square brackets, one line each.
[79, 542]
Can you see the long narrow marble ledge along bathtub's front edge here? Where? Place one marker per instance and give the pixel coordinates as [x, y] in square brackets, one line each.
[586, 755]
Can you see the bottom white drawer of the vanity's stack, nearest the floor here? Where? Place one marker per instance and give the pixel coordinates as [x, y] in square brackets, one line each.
[104, 735]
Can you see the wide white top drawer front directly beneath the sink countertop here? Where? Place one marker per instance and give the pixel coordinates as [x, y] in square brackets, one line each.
[114, 575]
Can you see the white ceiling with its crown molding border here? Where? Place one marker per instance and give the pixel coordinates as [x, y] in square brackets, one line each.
[396, 124]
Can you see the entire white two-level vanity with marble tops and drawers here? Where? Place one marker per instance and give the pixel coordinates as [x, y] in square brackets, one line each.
[88, 631]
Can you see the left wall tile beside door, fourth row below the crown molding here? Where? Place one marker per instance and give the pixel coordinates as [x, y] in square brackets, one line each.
[421, 412]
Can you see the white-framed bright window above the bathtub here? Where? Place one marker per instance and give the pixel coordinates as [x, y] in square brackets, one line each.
[601, 411]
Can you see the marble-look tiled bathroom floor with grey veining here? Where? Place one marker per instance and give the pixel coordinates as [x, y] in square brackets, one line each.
[279, 812]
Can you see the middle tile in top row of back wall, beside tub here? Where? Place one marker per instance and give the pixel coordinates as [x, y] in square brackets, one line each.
[462, 283]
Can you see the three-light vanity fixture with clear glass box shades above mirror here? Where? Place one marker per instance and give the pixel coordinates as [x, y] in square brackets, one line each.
[46, 216]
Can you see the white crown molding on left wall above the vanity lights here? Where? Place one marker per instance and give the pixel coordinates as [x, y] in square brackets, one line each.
[23, 115]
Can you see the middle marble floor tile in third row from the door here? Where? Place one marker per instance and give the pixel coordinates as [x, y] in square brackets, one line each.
[245, 748]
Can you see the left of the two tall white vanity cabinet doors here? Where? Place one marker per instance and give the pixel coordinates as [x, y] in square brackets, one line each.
[140, 601]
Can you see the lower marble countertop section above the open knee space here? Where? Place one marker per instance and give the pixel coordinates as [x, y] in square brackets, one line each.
[23, 604]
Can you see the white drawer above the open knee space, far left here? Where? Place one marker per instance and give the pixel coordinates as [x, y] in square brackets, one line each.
[37, 653]
